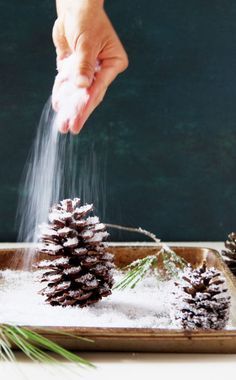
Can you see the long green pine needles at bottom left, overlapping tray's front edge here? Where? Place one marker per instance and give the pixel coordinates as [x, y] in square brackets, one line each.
[33, 345]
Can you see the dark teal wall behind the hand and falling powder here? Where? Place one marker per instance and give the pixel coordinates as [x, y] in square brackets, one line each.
[166, 133]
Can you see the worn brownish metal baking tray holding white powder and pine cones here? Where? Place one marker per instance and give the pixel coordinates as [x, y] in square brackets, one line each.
[143, 339]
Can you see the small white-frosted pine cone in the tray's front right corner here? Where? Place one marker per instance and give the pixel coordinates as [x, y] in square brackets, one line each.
[202, 300]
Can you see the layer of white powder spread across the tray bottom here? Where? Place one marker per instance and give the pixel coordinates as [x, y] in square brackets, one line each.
[147, 306]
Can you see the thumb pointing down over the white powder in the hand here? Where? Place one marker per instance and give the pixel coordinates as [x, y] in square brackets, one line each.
[85, 62]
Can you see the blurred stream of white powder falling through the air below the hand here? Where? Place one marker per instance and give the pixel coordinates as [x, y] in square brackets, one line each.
[48, 177]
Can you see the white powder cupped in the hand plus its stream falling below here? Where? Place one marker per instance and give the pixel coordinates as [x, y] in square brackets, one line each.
[50, 171]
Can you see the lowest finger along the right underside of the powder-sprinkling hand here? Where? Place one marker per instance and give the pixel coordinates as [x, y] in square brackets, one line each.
[109, 71]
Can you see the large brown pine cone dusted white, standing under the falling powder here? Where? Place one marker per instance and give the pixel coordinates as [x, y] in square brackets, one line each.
[80, 272]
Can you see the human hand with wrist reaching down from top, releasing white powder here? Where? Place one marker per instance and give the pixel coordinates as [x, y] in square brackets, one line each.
[84, 31]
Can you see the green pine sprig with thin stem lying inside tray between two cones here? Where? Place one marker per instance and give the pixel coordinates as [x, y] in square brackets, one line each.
[172, 263]
